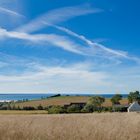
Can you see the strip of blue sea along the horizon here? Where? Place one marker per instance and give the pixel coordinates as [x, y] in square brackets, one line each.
[9, 97]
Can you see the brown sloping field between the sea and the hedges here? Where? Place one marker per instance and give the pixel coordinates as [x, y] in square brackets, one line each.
[63, 100]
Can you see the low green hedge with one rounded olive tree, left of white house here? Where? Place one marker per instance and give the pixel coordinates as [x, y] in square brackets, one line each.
[94, 104]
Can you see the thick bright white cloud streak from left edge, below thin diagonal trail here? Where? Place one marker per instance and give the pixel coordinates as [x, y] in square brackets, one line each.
[55, 40]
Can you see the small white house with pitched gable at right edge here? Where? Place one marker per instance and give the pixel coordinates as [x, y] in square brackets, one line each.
[134, 107]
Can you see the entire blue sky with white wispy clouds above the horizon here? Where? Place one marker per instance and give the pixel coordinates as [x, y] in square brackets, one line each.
[69, 46]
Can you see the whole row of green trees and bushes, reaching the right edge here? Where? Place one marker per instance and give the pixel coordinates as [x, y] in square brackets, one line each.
[94, 104]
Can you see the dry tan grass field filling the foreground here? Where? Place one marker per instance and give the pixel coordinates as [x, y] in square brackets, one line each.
[104, 126]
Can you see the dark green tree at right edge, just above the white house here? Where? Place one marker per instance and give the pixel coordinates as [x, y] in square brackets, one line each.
[134, 96]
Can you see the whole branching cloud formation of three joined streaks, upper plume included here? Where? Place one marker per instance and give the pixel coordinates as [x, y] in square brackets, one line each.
[90, 48]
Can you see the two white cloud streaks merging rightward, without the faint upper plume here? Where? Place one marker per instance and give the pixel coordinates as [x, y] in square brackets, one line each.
[90, 48]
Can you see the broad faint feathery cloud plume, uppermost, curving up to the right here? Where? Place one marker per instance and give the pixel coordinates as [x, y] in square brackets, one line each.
[57, 16]
